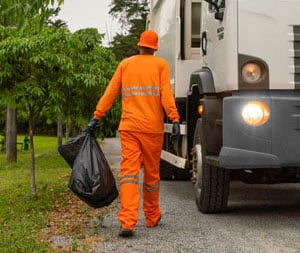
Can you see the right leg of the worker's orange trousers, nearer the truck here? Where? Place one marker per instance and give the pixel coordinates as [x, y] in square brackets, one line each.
[151, 151]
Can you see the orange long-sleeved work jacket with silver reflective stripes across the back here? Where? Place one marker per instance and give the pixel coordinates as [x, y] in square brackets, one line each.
[144, 81]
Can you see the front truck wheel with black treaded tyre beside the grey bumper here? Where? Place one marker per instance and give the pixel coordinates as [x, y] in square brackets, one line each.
[211, 186]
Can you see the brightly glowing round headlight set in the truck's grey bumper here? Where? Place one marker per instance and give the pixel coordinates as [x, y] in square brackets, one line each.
[256, 113]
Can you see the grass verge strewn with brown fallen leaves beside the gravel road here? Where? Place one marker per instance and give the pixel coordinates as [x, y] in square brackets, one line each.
[28, 225]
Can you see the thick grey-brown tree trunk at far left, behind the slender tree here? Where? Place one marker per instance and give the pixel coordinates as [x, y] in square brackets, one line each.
[11, 135]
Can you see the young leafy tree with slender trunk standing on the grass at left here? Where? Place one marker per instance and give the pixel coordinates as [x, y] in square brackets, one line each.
[27, 75]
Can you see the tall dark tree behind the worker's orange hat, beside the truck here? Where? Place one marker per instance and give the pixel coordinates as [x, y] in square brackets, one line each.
[132, 16]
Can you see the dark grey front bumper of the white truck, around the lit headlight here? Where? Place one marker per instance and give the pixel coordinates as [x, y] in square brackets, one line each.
[274, 144]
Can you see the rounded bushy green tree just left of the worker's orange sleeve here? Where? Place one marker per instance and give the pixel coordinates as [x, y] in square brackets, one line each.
[93, 68]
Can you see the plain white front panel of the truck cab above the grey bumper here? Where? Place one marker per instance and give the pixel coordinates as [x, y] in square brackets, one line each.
[272, 42]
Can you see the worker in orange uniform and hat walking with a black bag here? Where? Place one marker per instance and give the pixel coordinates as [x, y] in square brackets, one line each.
[144, 82]
